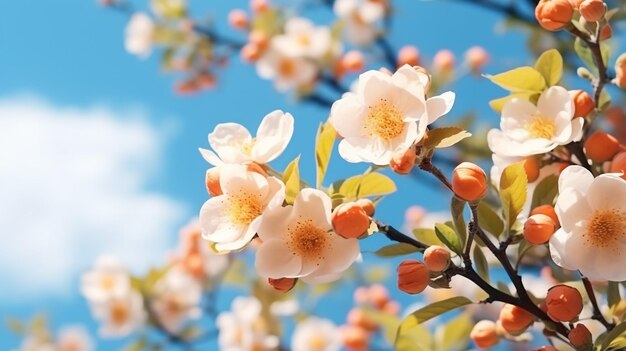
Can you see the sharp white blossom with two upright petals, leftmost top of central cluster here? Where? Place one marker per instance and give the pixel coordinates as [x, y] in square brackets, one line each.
[233, 144]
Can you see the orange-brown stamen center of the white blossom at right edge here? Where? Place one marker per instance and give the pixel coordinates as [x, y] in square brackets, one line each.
[605, 228]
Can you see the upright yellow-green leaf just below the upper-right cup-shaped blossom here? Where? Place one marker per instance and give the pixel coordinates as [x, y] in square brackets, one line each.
[513, 183]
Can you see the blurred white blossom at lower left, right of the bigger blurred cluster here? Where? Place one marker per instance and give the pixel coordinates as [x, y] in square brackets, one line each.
[177, 299]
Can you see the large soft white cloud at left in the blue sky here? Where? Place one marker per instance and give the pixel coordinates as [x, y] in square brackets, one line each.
[73, 186]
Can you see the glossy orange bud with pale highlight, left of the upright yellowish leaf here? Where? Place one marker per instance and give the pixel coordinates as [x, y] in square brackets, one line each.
[469, 182]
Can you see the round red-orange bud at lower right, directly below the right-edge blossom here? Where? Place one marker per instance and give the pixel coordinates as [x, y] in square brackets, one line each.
[564, 303]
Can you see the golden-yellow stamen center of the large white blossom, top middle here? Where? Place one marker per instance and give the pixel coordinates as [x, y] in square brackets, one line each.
[384, 120]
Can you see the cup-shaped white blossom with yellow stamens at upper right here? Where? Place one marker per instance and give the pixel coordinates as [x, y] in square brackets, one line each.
[527, 129]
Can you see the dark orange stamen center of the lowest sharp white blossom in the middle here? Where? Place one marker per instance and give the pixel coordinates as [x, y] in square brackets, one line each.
[308, 241]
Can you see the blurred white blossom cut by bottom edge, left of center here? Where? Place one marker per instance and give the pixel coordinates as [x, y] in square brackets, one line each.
[242, 328]
